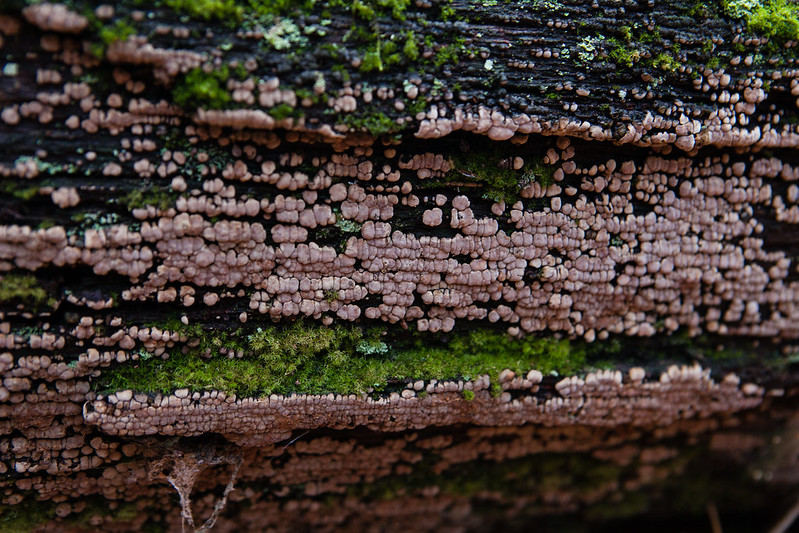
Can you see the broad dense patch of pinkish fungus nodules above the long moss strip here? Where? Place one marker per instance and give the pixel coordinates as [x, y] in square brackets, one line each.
[587, 268]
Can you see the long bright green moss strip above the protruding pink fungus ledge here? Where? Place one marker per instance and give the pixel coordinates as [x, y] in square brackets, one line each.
[308, 358]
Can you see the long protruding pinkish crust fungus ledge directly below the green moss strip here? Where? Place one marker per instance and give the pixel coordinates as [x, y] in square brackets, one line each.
[599, 399]
